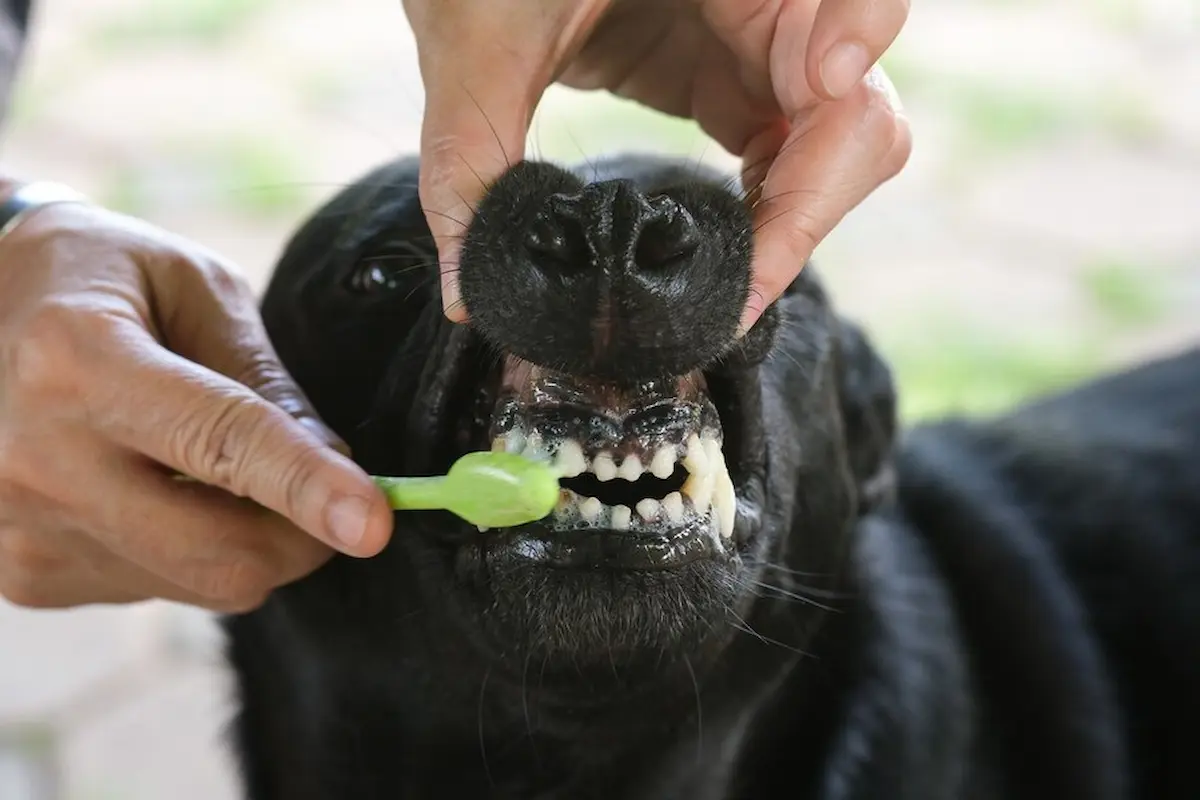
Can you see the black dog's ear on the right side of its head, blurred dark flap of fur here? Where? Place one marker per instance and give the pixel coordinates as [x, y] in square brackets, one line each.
[868, 401]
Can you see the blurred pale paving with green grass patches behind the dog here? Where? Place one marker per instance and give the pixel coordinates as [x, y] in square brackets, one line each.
[1047, 227]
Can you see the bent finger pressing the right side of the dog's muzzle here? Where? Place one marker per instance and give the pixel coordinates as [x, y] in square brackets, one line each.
[831, 161]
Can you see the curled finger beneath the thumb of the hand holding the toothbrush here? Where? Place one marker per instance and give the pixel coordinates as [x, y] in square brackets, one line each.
[213, 549]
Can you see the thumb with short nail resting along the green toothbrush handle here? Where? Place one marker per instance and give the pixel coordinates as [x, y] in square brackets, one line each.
[206, 426]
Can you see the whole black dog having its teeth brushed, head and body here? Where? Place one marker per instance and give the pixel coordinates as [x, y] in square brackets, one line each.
[749, 588]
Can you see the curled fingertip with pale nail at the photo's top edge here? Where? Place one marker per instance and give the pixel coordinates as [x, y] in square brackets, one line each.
[849, 37]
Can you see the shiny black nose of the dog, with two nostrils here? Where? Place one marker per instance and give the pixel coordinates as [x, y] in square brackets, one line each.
[613, 230]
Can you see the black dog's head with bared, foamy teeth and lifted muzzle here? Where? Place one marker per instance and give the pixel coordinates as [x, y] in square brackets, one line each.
[698, 467]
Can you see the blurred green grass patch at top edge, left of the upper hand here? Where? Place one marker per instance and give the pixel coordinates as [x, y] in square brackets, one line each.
[157, 23]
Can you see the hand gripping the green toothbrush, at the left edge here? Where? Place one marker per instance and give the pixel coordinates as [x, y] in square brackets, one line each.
[98, 418]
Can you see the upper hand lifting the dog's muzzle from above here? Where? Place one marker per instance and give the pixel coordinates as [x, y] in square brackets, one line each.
[778, 83]
